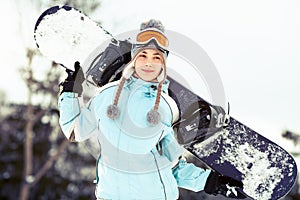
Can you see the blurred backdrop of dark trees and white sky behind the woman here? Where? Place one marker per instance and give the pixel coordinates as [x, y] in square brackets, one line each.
[254, 45]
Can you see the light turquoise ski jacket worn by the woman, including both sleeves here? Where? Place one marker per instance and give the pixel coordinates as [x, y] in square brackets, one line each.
[137, 161]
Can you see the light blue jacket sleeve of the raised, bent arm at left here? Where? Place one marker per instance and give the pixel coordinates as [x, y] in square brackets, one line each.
[75, 120]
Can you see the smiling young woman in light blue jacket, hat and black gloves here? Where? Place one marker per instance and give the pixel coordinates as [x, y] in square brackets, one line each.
[133, 120]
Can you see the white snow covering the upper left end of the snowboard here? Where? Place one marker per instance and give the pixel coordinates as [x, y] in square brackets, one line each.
[76, 34]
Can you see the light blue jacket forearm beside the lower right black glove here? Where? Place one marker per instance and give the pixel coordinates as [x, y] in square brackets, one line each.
[189, 176]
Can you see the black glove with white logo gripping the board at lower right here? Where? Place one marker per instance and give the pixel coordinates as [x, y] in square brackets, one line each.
[224, 185]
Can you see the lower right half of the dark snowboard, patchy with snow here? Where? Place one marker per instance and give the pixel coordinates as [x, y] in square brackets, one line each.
[266, 169]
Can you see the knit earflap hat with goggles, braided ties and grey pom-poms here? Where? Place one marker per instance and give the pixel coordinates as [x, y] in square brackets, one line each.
[151, 36]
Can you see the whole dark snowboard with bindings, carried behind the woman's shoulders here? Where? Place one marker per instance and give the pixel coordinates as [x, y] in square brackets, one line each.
[65, 35]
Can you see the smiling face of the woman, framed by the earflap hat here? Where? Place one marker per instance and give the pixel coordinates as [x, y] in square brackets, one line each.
[148, 64]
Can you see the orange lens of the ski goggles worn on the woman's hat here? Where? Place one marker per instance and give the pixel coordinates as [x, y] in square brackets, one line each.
[147, 35]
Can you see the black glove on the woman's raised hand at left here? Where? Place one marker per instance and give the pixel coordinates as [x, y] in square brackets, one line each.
[73, 83]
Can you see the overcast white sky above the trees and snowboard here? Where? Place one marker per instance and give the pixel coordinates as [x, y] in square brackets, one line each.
[254, 45]
